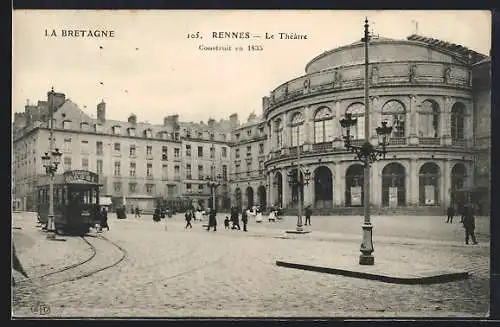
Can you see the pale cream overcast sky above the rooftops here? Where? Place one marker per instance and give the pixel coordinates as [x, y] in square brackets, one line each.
[164, 72]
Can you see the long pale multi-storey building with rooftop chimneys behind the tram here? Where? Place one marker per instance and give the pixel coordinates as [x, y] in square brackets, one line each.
[137, 162]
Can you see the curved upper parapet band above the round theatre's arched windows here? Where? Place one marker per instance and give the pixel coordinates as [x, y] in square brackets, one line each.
[381, 74]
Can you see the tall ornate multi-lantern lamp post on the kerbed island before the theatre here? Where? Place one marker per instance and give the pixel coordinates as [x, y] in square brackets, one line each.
[367, 154]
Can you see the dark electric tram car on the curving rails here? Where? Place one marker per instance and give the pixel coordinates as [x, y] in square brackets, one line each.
[76, 201]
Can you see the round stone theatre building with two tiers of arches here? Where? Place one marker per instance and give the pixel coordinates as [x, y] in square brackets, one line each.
[424, 88]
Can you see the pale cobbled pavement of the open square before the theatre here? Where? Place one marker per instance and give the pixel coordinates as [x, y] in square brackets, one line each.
[194, 272]
